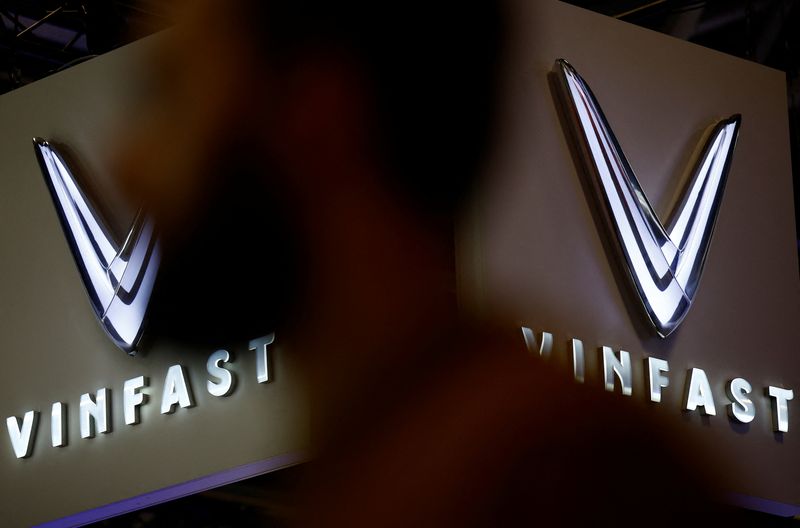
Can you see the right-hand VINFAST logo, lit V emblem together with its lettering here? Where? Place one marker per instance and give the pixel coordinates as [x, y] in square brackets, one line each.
[664, 264]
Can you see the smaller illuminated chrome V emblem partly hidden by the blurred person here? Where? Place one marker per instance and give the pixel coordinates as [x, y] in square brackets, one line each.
[118, 277]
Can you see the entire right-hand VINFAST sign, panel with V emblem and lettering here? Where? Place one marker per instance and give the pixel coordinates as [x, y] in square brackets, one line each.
[565, 227]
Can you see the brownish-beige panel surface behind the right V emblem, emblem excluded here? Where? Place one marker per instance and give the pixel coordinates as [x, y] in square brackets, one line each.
[535, 246]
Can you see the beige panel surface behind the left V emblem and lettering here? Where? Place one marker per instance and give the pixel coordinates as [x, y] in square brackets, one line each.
[54, 350]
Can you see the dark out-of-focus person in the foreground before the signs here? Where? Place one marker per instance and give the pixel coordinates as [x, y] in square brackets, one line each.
[305, 162]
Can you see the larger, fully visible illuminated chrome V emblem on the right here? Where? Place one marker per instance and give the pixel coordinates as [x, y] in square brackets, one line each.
[664, 264]
